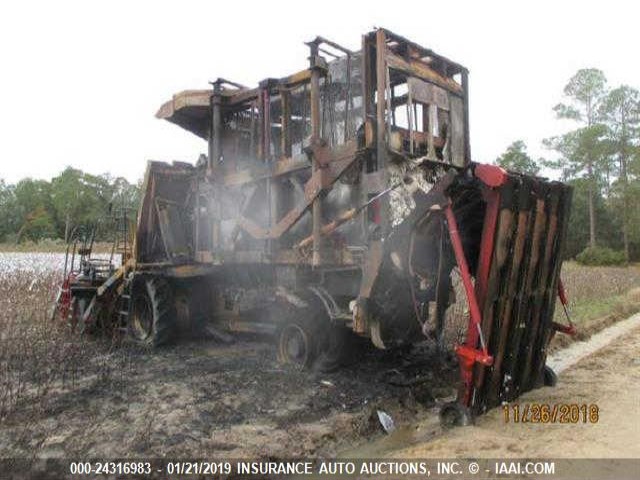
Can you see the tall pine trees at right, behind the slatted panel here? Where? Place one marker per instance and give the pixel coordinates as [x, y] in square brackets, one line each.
[600, 157]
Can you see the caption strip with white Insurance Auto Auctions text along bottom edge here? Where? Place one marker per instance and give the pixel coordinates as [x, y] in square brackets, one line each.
[460, 469]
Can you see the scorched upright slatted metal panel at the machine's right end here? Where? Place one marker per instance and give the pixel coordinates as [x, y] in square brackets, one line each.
[519, 297]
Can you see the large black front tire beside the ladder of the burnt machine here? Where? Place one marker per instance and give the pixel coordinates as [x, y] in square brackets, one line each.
[152, 322]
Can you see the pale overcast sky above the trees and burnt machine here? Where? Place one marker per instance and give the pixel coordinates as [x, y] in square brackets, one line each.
[81, 81]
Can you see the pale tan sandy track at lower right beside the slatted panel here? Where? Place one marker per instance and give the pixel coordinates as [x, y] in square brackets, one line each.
[609, 378]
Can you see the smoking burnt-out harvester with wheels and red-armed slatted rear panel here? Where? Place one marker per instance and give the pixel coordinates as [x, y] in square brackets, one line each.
[336, 202]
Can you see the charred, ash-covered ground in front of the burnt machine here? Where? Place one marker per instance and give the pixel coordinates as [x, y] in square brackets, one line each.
[197, 399]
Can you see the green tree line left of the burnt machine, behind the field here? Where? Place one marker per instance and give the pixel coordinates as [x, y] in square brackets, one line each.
[33, 210]
